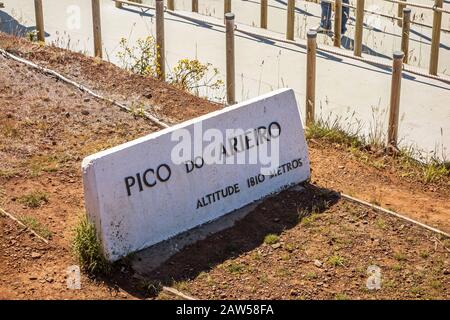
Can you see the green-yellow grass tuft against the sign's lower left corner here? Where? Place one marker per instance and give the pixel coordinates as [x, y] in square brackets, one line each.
[87, 248]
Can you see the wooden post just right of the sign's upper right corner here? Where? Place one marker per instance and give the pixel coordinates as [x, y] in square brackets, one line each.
[311, 77]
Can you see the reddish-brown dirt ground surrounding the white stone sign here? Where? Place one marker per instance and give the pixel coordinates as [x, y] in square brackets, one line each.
[47, 128]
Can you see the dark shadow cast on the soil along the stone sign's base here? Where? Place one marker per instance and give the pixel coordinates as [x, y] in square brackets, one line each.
[271, 216]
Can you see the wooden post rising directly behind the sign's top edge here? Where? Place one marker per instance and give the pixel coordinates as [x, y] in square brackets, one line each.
[231, 79]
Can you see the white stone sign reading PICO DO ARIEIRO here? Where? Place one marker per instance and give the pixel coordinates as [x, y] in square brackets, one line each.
[153, 188]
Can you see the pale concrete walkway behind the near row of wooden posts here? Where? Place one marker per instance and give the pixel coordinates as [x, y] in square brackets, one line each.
[353, 92]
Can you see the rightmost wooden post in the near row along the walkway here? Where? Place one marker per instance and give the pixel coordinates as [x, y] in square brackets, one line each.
[394, 111]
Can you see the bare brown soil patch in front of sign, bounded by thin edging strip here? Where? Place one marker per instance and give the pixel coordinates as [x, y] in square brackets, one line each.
[314, 253]
